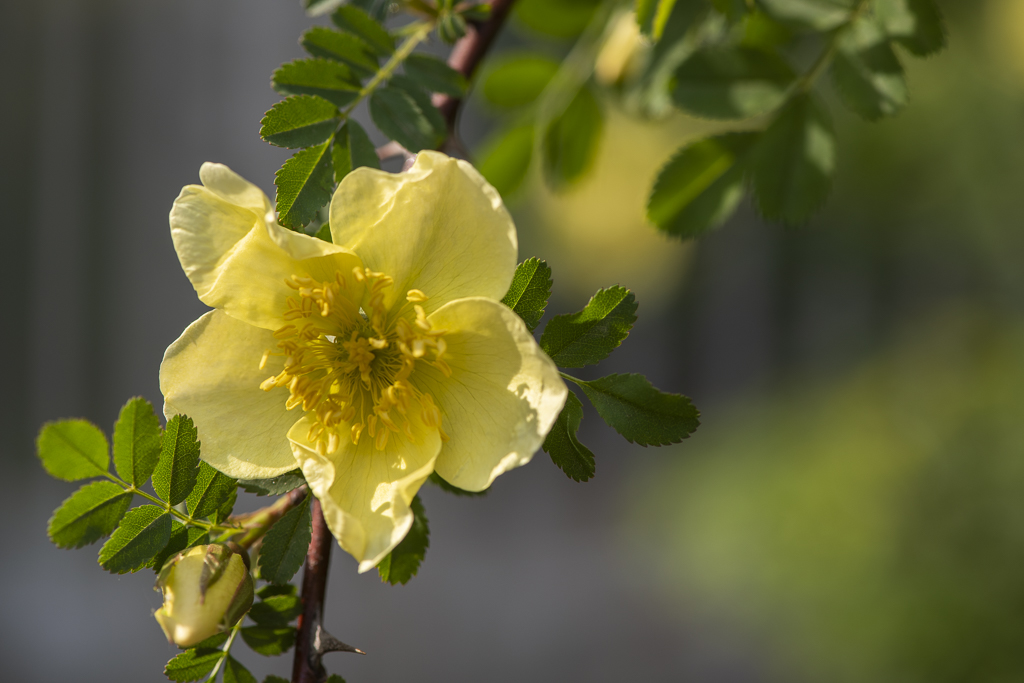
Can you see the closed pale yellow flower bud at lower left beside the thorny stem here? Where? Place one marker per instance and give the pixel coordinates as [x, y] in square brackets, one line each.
[207, 589]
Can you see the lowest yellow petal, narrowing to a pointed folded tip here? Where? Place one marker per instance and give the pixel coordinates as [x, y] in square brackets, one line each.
[366, 493]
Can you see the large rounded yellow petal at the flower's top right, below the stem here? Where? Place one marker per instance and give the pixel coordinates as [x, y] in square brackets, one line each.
[439, 228]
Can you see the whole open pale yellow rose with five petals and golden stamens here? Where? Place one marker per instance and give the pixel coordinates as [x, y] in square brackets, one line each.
[369, 363]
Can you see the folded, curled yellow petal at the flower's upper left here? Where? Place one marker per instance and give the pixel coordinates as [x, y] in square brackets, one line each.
[238, 258]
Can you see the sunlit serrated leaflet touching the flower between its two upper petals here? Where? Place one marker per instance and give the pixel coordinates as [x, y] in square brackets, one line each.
[305, 185]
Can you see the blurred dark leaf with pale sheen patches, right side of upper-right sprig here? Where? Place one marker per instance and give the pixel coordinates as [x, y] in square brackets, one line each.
[868, 73]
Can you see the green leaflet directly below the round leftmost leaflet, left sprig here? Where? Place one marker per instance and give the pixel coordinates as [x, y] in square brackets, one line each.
[91, 514]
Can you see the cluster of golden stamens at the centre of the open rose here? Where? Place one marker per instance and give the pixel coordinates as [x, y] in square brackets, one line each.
[350, 364]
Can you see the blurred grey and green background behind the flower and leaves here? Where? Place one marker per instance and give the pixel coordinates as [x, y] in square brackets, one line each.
[850, 510]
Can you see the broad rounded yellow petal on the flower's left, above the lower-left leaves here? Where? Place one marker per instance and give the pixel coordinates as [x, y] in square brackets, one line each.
[212, 375]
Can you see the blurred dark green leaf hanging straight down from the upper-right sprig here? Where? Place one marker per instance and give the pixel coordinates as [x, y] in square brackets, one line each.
[794, 162]
